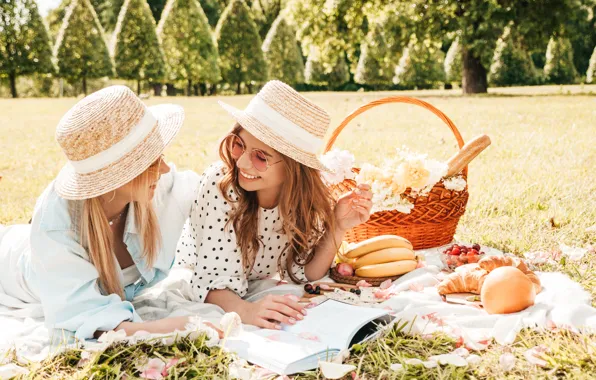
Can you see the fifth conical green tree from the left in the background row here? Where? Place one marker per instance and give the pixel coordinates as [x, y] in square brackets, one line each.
[239, 43]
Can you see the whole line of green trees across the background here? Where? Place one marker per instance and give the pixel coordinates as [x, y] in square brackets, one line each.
[200, 47]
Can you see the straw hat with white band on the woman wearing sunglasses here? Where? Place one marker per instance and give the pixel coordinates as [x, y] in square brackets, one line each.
[286, 121]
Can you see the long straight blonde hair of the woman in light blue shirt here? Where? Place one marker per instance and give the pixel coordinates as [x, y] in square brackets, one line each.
[97, 237]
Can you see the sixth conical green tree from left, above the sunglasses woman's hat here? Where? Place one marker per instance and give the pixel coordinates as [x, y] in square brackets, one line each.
[282, 53]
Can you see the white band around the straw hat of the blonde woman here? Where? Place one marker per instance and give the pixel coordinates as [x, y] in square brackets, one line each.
[114, 153]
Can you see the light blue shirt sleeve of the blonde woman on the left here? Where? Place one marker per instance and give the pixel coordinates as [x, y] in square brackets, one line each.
[67, 285]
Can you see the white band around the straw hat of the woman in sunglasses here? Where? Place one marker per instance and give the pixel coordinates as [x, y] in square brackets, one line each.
[283, 127]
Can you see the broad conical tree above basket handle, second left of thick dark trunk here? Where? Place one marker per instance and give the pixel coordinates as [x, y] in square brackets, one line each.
[421, 65]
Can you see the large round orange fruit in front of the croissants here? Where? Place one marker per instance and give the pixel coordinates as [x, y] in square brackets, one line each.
[507, 290]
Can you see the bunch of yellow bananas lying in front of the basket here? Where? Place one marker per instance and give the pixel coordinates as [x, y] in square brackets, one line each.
[381, 256]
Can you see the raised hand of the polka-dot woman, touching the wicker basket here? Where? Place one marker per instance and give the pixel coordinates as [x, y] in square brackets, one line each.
[353, 208]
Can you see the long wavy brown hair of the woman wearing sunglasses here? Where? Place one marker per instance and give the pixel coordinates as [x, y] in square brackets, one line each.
[305, 206]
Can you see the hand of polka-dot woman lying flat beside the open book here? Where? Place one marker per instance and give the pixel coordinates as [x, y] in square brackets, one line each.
[272, 310]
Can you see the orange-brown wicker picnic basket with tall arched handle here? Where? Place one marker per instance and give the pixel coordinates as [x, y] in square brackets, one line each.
[433, 220]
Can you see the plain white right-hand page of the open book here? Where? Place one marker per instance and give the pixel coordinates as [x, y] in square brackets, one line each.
[334, 323]
